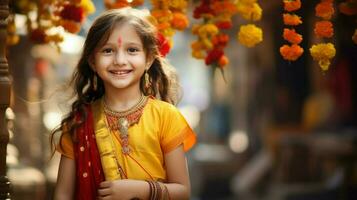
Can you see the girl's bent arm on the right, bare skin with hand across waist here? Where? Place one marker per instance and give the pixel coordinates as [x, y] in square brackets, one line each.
[177, 176]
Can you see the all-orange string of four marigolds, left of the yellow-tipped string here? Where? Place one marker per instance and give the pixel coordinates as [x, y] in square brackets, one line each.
[294, 51]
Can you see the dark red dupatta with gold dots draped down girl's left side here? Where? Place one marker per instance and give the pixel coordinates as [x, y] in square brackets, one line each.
[89, 172]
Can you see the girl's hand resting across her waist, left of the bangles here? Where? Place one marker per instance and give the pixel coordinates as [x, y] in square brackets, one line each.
[117, 190]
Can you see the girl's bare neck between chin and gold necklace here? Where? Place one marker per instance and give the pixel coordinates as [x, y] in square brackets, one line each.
[121, 100]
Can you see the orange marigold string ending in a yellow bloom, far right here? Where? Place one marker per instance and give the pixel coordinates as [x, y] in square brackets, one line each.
[323, 52]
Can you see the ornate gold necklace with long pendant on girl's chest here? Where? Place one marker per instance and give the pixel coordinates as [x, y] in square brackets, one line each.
[121, 121]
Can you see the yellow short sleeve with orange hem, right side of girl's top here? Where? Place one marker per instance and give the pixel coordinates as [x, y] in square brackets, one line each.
[175, 130]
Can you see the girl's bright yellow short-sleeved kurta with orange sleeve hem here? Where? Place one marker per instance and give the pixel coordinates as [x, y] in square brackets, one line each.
[160, 130]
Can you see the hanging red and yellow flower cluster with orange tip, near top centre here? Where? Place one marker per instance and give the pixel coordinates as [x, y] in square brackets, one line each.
[216, 17]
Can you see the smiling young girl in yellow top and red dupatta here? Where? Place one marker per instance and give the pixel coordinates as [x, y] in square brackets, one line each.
[123, 138]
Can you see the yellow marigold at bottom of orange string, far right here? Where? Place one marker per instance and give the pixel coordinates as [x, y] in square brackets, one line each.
[323, 53]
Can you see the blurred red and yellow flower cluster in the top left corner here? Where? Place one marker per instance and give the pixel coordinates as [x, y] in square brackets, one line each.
[51, 15]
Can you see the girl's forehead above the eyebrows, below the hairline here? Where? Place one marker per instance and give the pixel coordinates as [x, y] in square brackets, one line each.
[124, 33]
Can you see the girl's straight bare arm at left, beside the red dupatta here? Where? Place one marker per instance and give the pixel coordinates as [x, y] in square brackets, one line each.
[65, 179]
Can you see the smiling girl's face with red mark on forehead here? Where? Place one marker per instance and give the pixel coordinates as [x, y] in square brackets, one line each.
[121, 61]
